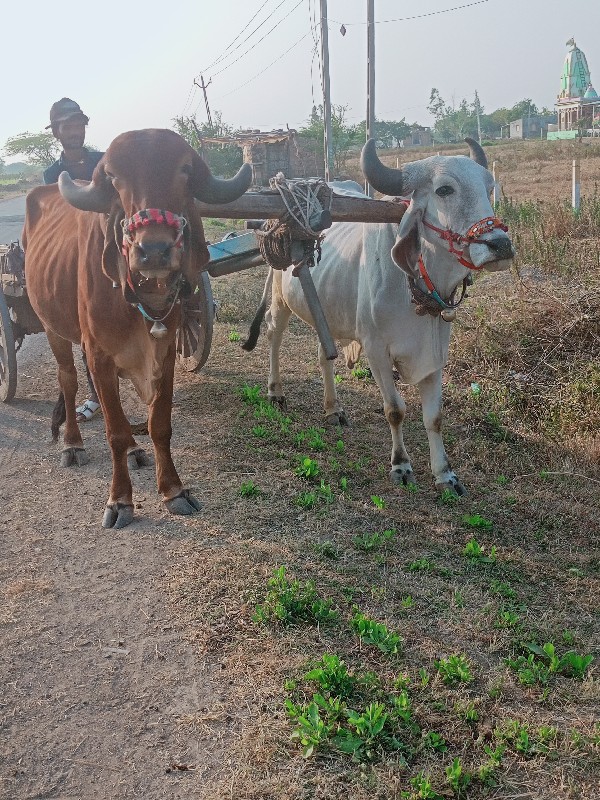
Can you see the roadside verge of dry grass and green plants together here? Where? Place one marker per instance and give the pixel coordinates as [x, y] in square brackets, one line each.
[395, 643]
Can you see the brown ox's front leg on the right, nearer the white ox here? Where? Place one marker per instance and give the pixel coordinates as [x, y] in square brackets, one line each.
[177, 499]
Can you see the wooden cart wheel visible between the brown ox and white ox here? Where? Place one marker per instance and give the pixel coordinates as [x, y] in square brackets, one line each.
[194, 336]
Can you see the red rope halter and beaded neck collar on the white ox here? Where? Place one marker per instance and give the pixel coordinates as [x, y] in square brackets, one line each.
[430, 302]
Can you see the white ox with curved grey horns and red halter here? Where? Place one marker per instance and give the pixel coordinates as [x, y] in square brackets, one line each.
[389, 290]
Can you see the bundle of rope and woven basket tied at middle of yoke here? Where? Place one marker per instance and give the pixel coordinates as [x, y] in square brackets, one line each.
[296, 237]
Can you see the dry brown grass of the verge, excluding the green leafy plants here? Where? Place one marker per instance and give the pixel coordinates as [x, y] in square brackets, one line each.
[527, 447]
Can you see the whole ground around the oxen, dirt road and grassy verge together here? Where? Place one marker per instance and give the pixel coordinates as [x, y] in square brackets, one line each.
[315, 632]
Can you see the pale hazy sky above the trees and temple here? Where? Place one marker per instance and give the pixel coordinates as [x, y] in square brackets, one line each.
[133, 65]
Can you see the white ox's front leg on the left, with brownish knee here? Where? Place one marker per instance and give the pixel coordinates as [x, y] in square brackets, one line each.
[394, 409]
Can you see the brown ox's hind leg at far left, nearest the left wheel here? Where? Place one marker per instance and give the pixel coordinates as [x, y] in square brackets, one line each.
[73, 450]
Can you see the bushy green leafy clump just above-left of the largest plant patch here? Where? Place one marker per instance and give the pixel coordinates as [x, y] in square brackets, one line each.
[289, 602]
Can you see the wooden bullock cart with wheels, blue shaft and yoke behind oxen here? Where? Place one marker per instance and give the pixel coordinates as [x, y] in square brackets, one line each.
[310, 206]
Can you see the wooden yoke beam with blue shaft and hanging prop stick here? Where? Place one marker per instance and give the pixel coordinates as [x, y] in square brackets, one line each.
[235, 253]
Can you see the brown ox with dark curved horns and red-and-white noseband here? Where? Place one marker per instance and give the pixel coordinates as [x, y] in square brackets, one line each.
[105, 265]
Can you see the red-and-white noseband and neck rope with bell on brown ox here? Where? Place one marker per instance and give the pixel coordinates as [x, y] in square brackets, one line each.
[141, 219]
